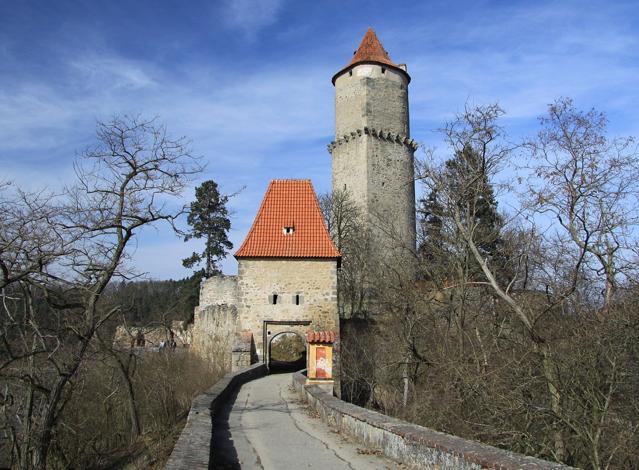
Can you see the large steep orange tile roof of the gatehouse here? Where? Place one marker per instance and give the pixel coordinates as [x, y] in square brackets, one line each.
[288, 203]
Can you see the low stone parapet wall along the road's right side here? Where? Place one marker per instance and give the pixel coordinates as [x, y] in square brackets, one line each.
[412, 445]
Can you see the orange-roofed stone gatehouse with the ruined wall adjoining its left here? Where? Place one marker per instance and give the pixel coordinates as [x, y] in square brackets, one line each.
[286, 282]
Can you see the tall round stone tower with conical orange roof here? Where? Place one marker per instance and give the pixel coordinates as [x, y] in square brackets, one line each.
[373, 152]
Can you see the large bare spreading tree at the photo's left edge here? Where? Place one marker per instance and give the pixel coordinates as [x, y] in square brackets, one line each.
[57, 265]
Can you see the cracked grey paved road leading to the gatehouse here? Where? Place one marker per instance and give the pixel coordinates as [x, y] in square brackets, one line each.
[267, 427]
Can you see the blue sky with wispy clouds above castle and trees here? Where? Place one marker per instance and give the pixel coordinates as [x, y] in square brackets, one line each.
[248, 81]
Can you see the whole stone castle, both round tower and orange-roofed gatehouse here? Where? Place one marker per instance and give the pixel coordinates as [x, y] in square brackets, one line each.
[287, 265]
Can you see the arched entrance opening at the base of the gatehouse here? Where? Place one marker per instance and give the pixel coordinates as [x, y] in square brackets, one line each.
[289, 340]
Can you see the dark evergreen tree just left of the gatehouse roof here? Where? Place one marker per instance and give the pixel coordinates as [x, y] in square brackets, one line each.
[209, 219]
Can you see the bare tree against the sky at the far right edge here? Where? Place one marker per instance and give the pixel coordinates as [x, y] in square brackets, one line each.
[589, 184]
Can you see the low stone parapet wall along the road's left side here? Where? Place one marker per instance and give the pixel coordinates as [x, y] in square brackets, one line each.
[193, 448]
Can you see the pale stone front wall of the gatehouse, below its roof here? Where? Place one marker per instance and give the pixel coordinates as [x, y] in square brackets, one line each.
[314, 279]
